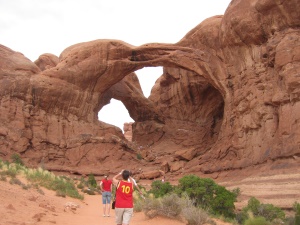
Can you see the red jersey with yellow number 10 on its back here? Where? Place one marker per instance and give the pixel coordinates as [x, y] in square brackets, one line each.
[124, 198]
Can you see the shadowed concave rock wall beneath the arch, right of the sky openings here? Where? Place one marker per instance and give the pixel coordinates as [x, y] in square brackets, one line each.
[192, 110]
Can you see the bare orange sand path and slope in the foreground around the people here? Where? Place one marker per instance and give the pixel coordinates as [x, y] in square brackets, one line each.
[24, 207]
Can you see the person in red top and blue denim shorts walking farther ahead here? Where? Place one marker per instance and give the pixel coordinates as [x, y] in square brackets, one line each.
[106, 187]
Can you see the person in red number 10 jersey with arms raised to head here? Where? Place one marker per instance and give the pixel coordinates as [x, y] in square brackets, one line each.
[124, 198]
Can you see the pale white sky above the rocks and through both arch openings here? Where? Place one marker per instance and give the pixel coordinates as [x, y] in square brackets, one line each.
[35, 27]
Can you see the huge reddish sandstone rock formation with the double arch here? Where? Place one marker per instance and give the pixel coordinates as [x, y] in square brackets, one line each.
[229, 98]
